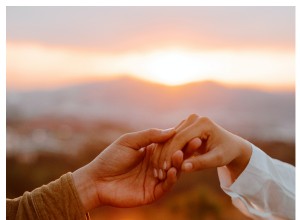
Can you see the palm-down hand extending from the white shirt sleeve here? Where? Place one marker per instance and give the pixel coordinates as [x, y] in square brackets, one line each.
[219, 147]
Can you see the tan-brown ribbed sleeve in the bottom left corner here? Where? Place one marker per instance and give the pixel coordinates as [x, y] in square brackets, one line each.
[57, 200]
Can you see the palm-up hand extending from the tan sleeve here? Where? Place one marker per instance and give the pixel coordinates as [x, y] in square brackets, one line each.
[122, 175]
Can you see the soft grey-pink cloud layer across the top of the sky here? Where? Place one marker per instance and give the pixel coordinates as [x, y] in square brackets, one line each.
[119, 29]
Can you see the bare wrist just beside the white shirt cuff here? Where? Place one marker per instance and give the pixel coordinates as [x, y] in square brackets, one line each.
[240, 162]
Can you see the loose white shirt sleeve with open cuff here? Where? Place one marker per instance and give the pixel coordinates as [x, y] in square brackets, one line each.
[264, 190]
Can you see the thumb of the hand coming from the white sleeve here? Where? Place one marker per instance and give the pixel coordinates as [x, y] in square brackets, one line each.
[210, 159]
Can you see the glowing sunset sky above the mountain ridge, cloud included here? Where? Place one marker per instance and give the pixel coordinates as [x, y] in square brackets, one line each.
[55, 46]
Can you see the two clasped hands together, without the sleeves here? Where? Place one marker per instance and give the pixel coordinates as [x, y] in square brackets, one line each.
[140, 167]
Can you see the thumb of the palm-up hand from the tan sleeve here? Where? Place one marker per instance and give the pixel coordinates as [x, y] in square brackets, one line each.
[139, 139]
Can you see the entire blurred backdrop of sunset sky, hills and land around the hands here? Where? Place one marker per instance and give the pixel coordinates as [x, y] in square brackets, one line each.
[79, 77]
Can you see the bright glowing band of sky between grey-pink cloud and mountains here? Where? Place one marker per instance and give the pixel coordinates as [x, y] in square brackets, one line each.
[44, 65]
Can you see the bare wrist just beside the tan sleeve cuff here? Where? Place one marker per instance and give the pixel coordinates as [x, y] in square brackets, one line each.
[86, 189]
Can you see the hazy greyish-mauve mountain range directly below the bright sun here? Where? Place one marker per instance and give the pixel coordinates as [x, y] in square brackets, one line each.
[140, 104]
